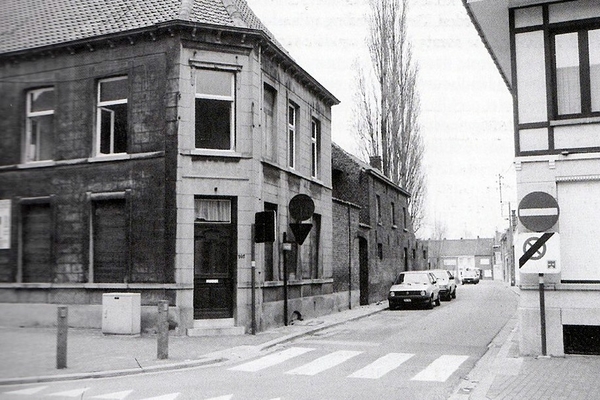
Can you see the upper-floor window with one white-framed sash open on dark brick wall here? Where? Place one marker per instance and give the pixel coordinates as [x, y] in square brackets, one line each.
[112, 116]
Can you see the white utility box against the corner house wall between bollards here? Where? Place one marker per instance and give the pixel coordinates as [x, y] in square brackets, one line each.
[121, 313]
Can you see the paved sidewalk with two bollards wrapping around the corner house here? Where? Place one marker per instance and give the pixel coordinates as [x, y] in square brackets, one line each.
[29, 354]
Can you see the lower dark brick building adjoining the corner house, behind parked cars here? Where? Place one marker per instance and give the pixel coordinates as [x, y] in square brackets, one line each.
[371, 216]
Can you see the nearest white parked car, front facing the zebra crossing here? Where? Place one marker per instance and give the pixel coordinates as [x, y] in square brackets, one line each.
[414, 288]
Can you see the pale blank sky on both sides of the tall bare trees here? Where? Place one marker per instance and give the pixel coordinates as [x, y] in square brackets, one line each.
[466, 109]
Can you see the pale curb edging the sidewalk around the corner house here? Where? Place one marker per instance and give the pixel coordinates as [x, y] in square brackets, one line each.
[179, 365]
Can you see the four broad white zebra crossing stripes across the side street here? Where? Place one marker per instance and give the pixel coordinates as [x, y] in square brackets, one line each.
[437, 371]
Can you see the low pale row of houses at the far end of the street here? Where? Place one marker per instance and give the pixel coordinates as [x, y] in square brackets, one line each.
[458, 254]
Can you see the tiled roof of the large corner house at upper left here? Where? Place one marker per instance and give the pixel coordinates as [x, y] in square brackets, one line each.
[30, 24]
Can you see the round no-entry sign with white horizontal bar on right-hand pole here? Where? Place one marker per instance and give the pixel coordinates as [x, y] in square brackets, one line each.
[538, 211]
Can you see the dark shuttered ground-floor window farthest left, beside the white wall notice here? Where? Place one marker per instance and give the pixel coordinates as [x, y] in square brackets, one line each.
[36, 243]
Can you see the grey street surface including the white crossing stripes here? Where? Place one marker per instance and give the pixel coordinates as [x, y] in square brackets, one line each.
[407, 354]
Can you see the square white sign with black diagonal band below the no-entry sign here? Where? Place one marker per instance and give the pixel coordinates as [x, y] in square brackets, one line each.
[538, 253]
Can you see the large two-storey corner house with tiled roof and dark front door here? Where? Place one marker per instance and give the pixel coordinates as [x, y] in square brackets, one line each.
[138, 140]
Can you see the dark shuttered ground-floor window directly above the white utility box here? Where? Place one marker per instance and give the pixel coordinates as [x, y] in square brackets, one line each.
[110, 241]
